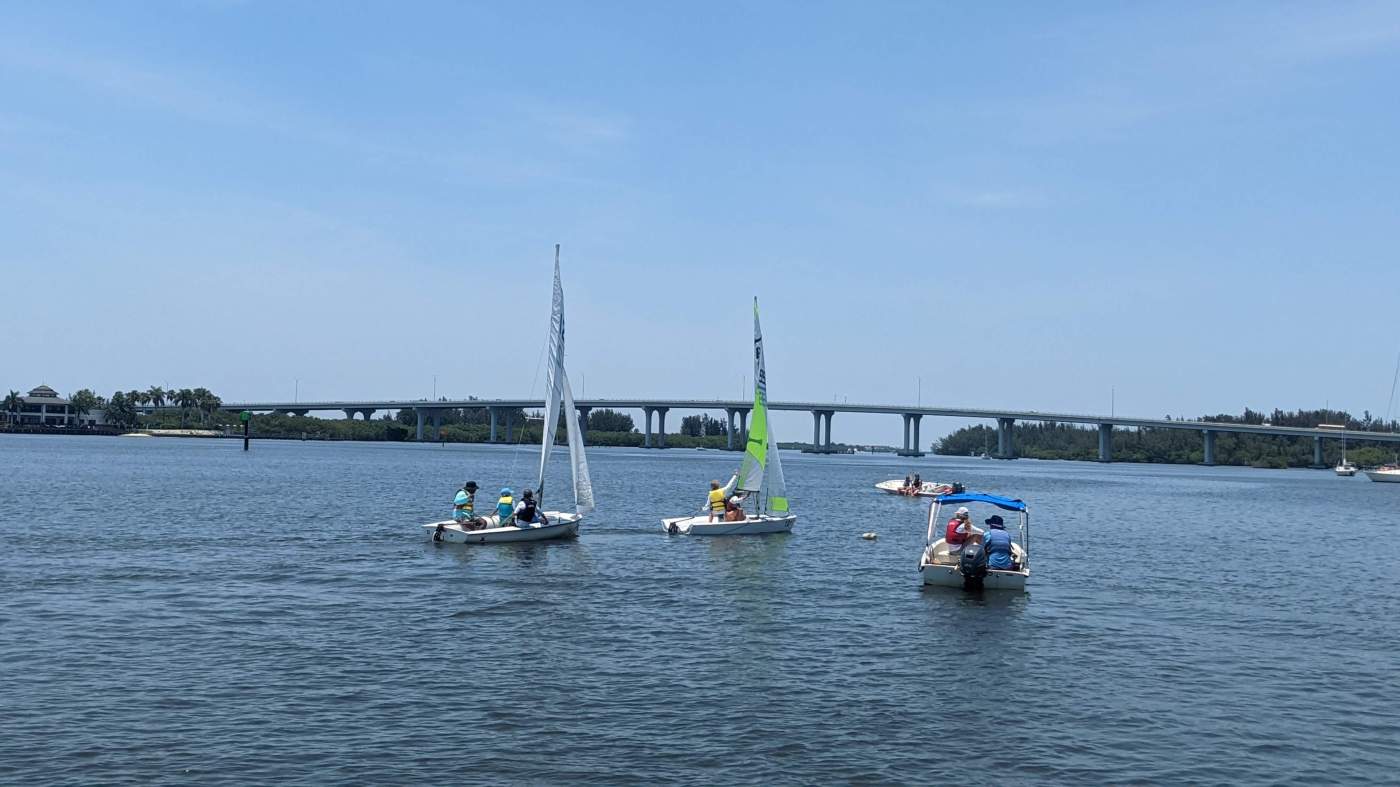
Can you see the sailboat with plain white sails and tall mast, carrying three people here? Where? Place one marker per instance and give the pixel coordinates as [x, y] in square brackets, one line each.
[556, 524]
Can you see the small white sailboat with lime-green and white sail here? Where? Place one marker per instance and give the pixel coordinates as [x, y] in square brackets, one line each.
[761, 473]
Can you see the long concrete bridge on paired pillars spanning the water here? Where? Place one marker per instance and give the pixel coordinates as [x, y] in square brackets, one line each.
[822, 415]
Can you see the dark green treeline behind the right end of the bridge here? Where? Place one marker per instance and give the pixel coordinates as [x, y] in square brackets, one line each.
[1186, 447]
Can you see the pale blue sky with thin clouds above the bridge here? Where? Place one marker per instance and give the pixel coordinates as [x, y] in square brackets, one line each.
[1157, 208]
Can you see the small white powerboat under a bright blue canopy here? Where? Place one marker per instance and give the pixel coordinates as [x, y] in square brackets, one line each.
[955, 554]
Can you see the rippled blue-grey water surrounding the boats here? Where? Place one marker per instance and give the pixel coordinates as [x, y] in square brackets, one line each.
[177, 611]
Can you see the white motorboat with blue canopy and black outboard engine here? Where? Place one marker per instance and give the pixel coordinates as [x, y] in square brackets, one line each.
[954, 568]
